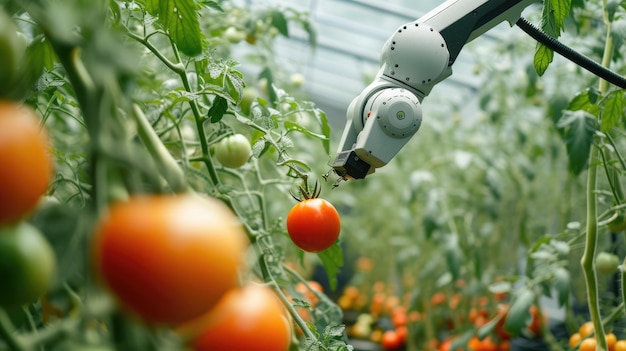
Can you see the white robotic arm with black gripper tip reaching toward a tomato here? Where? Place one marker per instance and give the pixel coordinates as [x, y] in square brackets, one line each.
[420, 54]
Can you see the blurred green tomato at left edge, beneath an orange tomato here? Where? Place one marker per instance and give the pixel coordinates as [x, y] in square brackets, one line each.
[27, 264]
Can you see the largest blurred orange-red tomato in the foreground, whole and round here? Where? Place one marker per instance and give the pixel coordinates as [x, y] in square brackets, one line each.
[169, 259]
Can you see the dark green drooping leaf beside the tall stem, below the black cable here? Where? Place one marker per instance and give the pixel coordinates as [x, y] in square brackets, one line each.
[579, 129]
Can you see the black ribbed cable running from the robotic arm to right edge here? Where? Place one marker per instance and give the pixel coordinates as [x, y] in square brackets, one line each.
[572, 55]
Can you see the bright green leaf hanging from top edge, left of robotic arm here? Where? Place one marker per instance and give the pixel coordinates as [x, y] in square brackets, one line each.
[179, 18]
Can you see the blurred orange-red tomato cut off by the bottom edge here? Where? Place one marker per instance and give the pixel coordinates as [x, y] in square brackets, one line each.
[251, 318]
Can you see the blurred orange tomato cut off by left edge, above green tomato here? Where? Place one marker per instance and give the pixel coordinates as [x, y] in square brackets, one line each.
[25, 162]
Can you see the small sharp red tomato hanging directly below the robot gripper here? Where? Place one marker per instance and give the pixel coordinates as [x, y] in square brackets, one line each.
[313, 225]
